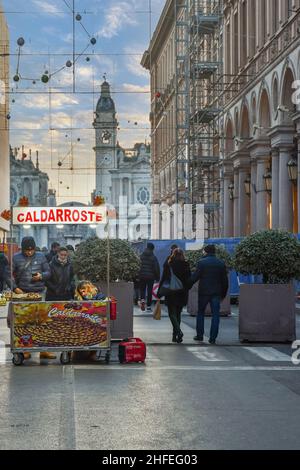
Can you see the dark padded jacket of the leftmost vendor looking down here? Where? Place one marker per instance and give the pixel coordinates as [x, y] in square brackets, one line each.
[24, 267]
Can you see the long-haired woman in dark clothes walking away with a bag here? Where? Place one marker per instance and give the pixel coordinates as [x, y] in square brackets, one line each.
[175, 301]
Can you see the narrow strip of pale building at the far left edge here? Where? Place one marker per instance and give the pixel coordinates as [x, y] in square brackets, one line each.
[4, 124]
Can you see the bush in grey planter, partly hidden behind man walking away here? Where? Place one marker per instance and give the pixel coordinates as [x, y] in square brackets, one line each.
[193, 257]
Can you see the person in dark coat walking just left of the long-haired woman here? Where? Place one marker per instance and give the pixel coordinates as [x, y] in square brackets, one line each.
[149, 273]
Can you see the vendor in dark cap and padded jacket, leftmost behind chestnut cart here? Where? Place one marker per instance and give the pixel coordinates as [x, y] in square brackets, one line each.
[31, 269]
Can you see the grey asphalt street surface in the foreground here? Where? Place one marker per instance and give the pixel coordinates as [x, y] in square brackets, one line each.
[186, 397]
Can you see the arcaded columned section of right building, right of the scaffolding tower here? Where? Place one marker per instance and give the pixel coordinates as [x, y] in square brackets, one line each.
[261, 119]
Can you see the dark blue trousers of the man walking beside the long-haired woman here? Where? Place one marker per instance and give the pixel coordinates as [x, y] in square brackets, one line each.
[215, 304]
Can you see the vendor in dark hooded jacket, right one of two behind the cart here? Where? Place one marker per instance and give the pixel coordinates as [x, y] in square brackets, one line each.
[61, 285]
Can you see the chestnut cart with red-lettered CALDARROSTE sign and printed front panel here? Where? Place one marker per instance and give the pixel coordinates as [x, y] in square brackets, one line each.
[38, 326]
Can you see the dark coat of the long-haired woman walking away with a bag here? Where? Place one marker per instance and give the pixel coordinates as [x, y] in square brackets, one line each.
[182, 270]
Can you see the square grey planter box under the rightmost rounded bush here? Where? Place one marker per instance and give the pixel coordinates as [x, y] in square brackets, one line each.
[267, 313]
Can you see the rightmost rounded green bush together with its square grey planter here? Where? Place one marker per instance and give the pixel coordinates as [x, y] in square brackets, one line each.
[267, 310]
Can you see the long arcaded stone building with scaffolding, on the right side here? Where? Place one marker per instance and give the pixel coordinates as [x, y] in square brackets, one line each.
[222, 81]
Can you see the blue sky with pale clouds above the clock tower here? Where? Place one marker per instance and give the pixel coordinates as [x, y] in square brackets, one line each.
[42, 115]
